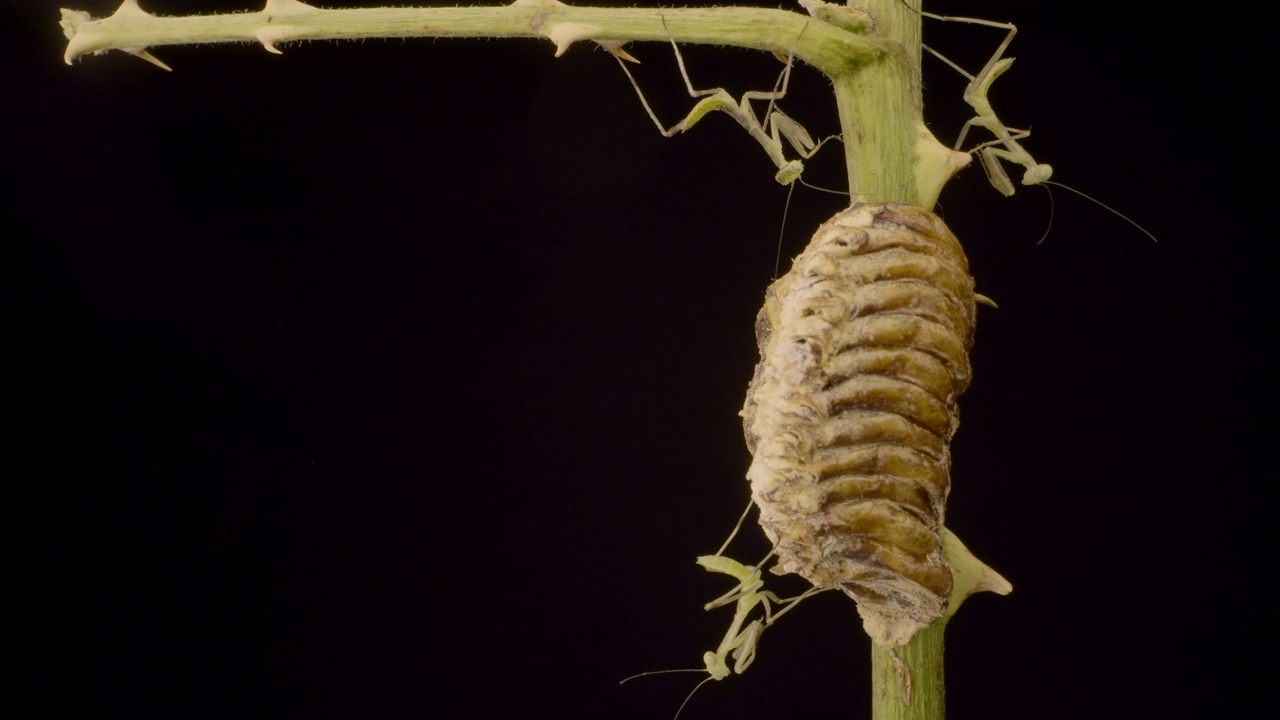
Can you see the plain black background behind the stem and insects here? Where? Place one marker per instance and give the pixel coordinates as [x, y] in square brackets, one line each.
[401, 380]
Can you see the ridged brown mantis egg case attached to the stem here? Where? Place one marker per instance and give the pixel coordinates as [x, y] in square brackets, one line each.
[865, 350]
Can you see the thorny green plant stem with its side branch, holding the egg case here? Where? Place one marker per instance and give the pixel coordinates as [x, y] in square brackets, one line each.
[890, 156]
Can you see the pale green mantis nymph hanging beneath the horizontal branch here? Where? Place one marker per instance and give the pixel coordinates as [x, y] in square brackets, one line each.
[770, 134]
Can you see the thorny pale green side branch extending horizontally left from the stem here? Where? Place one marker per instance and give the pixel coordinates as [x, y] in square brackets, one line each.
[830, 49]
